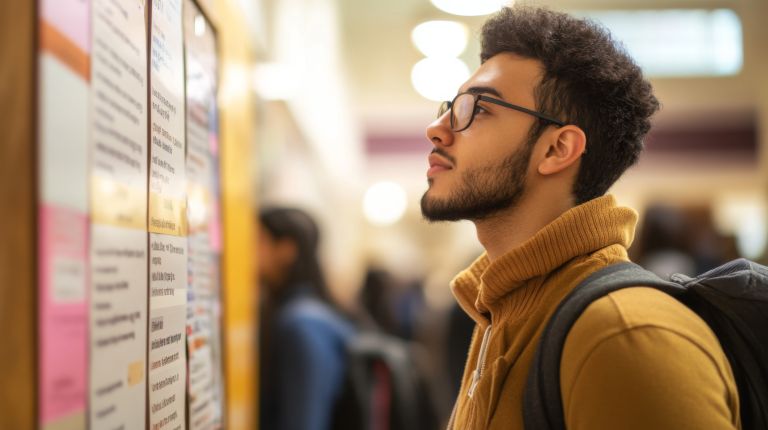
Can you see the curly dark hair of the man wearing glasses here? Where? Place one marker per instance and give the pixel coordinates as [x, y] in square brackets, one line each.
[589, 81]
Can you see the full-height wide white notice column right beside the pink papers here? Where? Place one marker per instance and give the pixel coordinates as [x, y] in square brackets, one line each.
[118, 194]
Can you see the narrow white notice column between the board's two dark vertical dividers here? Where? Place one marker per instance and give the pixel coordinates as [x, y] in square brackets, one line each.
[167, 220]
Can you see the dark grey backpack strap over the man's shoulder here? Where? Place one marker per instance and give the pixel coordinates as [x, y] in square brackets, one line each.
[542, 401]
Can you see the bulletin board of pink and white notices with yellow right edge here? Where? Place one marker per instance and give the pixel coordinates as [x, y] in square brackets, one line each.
[143, 288]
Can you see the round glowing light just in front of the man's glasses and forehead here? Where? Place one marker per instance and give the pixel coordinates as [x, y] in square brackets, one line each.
[438, 78]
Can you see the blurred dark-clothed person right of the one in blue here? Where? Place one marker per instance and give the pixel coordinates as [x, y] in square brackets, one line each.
[390, 368]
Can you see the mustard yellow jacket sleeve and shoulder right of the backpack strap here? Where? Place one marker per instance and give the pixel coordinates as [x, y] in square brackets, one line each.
[660, 369]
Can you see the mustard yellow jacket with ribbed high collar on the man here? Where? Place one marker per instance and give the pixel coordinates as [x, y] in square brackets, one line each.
[635, 359]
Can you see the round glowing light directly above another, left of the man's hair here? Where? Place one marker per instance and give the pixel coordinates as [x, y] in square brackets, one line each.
[440, 38]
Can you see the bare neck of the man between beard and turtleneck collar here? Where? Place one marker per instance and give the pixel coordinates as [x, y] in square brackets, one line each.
[510, 228]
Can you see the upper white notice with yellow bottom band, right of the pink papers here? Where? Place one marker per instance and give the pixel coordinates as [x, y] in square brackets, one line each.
[119, 114]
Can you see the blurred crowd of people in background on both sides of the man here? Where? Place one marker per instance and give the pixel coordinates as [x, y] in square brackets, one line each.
[392, 361]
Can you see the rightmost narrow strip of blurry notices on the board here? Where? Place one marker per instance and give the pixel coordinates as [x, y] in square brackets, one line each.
[204, 299]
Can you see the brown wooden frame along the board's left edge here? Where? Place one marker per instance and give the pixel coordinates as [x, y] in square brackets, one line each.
[18, 227]
